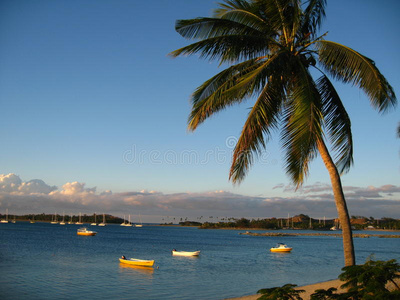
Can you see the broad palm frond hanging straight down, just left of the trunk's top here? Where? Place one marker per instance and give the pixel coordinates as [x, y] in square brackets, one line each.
[303, 124]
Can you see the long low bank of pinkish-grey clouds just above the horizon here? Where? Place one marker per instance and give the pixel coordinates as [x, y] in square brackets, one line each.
[316, 200]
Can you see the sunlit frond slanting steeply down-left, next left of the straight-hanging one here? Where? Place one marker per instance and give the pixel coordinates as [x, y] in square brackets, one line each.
[255, 133]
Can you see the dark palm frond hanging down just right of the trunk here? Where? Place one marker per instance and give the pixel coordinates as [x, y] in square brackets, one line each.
[337, 123]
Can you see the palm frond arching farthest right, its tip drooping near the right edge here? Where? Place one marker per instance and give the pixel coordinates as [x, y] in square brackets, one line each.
[348, 65]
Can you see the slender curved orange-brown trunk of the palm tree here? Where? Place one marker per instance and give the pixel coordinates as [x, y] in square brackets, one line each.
[340, 201]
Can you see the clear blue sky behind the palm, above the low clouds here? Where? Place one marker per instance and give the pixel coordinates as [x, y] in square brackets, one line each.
[89, 95]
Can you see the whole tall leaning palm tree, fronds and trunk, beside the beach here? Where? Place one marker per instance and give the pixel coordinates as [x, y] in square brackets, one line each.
[270, 48]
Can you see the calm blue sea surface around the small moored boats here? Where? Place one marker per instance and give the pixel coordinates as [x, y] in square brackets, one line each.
[47, 261]
